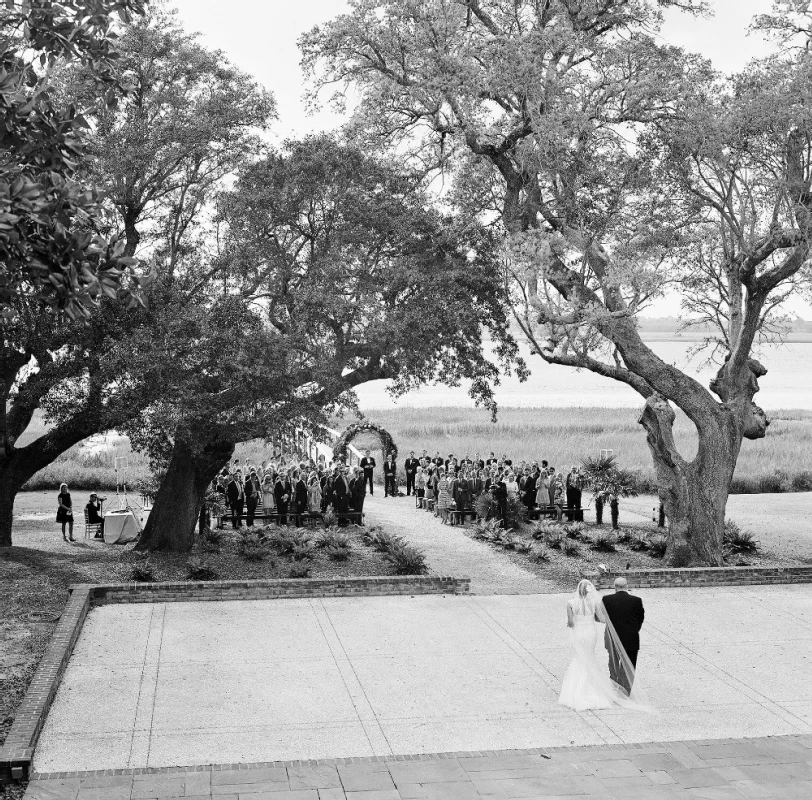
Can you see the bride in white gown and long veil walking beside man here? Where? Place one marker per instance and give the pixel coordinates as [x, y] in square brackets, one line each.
[587, 684]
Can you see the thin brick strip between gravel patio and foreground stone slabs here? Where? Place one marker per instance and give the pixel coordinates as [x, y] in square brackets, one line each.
[659, 746]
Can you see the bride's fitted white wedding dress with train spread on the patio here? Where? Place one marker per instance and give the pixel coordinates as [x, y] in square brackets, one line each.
[587, 684]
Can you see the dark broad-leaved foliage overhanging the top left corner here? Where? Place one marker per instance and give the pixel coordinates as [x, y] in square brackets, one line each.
[50, 246]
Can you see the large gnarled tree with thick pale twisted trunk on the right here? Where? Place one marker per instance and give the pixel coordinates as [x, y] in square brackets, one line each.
[619, 166]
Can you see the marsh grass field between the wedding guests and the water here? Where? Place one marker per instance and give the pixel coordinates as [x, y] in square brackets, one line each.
[780, 462]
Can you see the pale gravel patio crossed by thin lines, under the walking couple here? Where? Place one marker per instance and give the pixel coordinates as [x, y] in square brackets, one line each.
[176, 684]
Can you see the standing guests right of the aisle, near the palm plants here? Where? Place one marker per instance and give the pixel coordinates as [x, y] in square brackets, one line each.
[454, 484]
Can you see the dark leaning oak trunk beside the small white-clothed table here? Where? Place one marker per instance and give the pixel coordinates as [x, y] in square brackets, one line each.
[172, 520]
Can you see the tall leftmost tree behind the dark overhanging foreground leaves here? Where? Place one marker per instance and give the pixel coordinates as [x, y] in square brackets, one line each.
[160, 155]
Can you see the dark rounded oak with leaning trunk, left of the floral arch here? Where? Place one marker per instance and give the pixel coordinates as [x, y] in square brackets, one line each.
[355, 277]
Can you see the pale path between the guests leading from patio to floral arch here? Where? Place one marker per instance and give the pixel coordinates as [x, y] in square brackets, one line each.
[450, 552]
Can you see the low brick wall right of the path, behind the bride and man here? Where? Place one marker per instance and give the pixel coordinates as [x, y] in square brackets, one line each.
[678, 577]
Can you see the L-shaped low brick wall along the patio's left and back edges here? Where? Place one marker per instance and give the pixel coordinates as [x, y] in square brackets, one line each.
[17, 752]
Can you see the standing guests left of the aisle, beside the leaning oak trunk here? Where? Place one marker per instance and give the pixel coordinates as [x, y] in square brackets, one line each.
[290, 490]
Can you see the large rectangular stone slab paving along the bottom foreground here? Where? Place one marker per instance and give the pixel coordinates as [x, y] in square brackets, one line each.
[778, 767]
